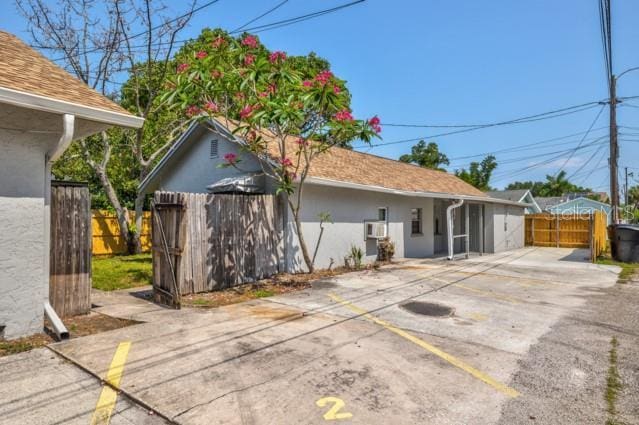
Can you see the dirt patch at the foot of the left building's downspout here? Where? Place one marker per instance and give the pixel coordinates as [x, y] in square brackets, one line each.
[78, 326]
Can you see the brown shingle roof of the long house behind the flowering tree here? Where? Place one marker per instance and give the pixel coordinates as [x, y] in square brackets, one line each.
[344, 167]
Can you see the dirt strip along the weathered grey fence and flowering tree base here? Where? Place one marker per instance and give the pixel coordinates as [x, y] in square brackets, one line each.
[279, 284]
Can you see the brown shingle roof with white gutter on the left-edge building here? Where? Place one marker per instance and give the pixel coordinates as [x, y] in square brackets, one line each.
[30, 80]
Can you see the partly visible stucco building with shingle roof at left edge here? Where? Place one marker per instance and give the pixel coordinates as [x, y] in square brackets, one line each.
[42, 109]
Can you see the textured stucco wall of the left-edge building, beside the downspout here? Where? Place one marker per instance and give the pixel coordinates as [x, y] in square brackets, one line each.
[23, 281]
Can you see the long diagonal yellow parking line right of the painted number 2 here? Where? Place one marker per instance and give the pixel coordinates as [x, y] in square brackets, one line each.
[511, 392]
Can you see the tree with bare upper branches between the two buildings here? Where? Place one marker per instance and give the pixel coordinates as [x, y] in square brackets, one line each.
[97, 41]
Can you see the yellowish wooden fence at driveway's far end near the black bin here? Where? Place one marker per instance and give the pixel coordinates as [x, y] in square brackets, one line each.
[567, 231]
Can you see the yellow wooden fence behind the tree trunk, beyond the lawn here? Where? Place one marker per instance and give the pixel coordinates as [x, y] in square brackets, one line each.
[106, 233]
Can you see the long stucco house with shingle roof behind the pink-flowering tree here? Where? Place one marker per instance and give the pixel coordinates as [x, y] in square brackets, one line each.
[363, 193]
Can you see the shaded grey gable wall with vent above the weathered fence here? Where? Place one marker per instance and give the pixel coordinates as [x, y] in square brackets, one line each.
[193, 169]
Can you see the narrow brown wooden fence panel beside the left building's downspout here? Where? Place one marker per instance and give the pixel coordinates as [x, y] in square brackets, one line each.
[70, 249]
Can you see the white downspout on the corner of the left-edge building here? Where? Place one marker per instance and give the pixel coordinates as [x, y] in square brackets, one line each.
[68, 128]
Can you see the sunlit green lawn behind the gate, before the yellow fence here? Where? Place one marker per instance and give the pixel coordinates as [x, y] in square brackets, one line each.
[122, 271]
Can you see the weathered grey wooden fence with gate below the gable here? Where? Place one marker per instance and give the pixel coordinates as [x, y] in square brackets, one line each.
[204, 242]
